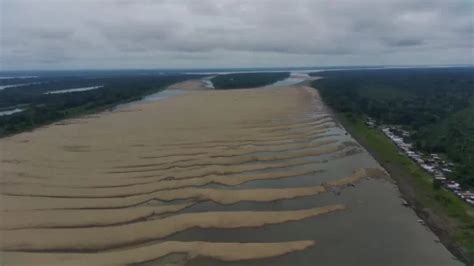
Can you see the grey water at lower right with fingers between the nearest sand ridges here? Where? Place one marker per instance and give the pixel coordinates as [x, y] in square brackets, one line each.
[376, 230]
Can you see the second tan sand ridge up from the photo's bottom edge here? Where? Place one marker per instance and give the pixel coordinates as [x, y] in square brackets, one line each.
[102, 238]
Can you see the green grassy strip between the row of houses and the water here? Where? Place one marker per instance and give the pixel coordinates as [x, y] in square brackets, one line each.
[450, 218]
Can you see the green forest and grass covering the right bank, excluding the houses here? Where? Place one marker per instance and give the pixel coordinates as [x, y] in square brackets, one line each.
[436, 106]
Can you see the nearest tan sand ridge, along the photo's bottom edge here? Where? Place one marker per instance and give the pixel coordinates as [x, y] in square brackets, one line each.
[193, 249]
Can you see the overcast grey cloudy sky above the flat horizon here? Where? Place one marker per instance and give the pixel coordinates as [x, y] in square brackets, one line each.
[78, 34]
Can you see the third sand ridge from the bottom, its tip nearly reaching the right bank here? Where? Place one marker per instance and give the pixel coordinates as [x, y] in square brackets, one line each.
[84, 218]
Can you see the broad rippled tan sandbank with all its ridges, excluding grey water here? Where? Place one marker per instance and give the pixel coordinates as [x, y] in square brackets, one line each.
[111, 189]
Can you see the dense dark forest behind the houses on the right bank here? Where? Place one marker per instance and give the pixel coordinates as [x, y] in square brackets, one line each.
[436, 105]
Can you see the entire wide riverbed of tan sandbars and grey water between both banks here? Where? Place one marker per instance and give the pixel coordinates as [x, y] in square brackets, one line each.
[242, 177]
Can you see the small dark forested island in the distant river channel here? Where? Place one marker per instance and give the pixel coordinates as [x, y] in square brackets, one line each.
[247, 80]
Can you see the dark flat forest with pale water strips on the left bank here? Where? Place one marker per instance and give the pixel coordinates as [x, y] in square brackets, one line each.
[42, 108]
